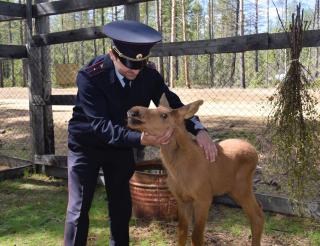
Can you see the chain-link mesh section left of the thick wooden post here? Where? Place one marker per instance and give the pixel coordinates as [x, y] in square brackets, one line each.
[15, 130]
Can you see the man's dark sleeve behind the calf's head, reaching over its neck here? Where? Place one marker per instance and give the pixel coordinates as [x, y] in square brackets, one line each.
[193, 124]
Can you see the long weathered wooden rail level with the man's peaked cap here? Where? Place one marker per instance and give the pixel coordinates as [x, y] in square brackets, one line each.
[263, 41]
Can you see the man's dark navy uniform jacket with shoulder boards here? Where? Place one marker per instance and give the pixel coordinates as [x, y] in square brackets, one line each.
[99, 116]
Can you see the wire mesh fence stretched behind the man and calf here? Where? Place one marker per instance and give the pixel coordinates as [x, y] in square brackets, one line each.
[228, 111]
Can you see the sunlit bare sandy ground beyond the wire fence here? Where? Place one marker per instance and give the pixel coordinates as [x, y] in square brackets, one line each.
[223, 109]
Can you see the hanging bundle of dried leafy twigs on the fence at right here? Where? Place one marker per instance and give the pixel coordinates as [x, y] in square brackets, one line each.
[293, 122]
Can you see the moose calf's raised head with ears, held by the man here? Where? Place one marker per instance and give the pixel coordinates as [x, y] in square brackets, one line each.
[157, 121]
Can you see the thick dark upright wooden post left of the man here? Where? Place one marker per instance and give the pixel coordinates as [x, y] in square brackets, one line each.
[39, 88]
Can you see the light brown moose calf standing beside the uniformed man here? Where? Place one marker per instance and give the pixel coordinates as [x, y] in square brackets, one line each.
[192, 179]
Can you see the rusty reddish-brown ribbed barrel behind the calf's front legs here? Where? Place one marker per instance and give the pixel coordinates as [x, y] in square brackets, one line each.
[151, 198]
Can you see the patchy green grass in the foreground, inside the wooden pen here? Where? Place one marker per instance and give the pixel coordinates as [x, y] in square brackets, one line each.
[32, 211]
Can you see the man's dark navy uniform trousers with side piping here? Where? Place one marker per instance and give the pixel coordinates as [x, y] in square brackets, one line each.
[83, 170]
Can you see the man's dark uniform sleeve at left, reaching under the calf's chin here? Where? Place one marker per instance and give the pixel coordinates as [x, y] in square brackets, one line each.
[92, 102]
